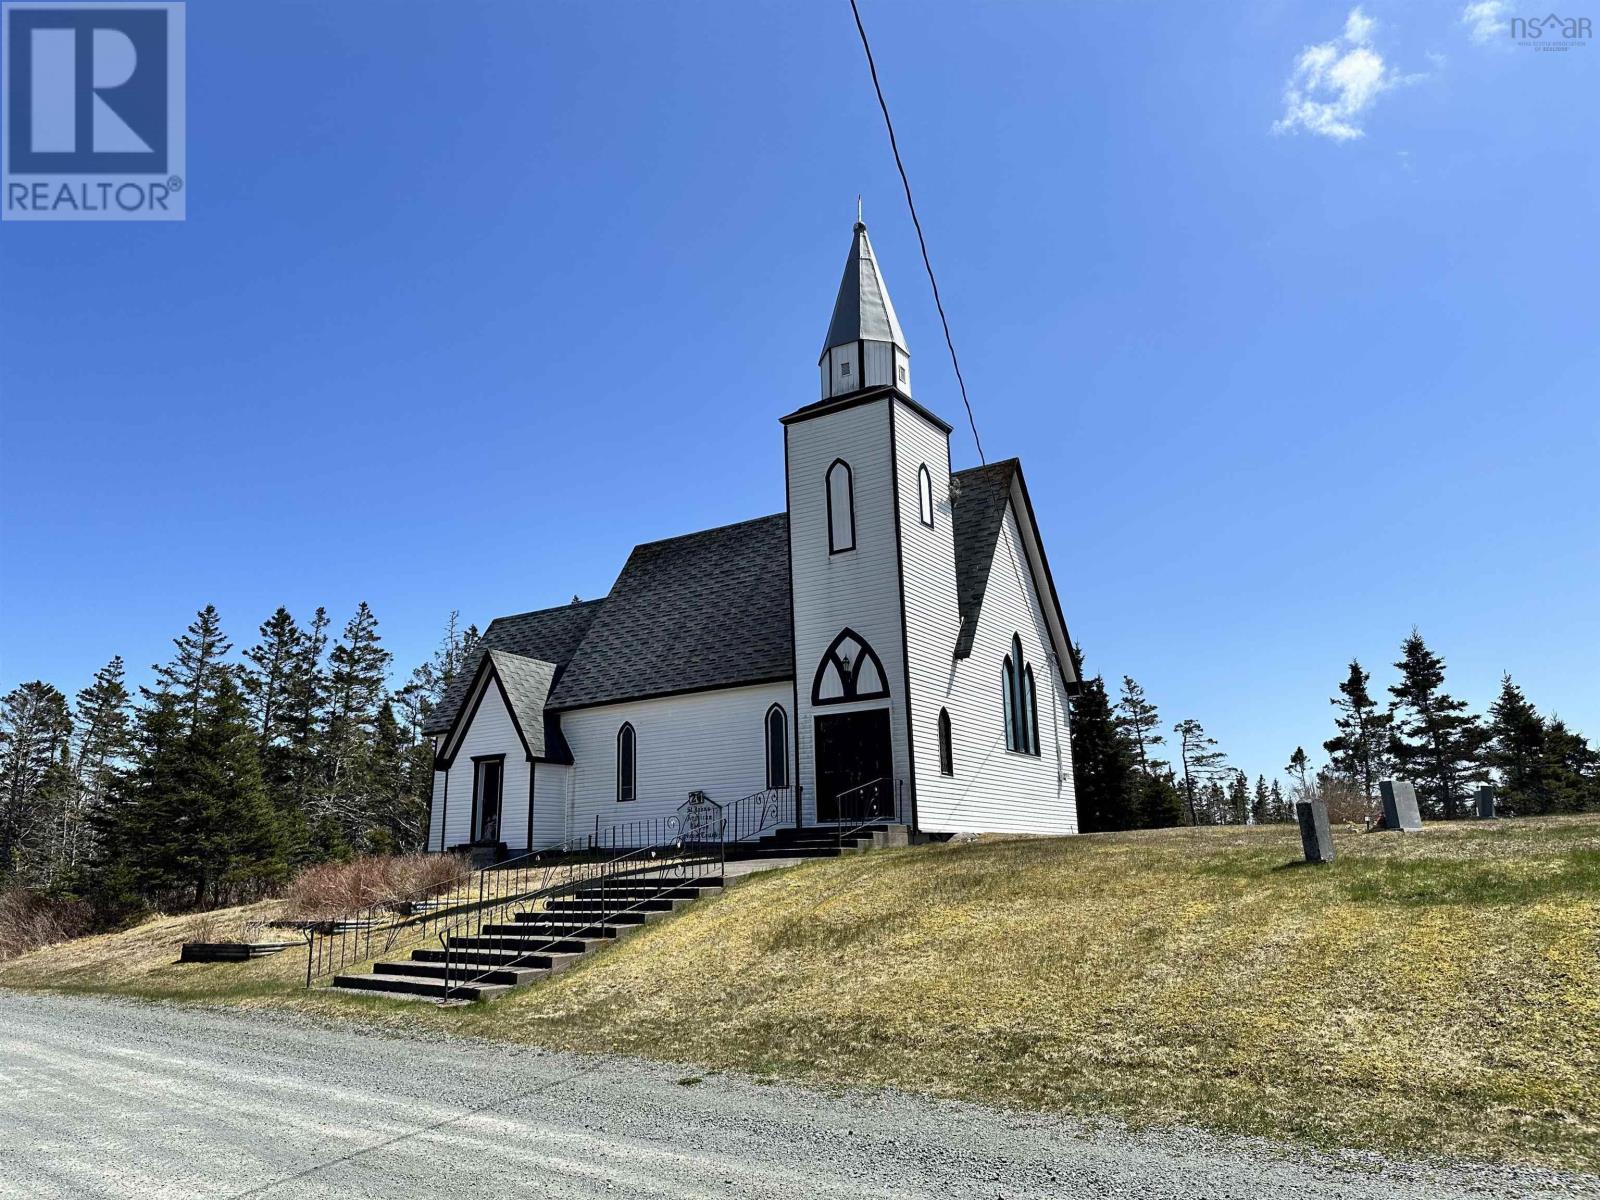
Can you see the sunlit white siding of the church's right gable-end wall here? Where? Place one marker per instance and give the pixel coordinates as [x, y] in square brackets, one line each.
[996, 790]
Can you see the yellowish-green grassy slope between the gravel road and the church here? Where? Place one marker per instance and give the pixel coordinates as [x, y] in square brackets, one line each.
[1434, 993]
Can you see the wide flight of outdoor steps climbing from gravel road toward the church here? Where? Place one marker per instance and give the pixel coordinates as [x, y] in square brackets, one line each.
[526, 946]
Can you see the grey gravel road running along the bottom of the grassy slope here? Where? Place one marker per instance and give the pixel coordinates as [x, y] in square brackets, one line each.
[118, 1100]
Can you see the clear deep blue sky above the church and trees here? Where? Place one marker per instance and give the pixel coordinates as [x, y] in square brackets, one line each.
[1292, 318]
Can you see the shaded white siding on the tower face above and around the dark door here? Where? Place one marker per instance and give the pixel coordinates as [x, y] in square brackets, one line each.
[858, 590]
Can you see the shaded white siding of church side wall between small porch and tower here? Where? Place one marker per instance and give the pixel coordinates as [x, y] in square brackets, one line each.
[710, 742]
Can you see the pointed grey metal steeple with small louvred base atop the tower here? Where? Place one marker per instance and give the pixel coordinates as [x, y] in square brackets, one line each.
[865, 345]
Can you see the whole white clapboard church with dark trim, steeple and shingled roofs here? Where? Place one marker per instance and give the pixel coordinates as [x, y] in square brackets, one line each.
[890, 646]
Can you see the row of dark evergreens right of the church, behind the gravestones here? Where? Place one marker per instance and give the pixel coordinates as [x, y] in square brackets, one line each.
[1420, 734]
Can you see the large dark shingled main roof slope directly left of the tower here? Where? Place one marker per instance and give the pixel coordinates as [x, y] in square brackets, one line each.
[708, 610]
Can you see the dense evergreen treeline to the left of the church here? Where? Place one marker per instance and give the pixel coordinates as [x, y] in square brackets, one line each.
[226, 774]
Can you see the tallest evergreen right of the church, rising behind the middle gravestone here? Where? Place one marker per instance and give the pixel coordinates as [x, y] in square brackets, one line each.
[1434, 742]
